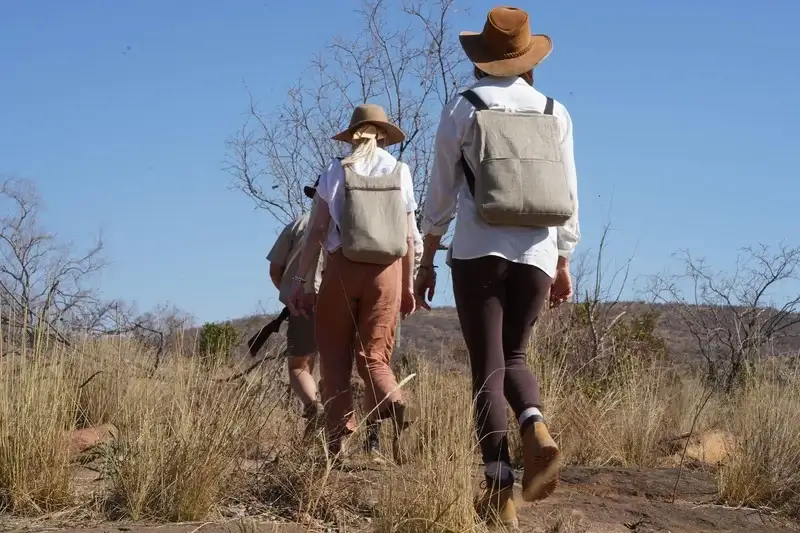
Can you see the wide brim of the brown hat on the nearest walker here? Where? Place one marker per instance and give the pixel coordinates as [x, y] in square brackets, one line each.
[473, 46]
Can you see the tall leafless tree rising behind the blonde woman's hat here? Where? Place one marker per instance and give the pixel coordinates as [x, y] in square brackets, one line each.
[405, 57]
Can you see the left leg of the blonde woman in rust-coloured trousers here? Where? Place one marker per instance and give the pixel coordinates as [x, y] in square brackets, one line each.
[335, 329]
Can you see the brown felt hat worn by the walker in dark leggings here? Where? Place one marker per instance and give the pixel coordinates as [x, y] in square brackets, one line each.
[506, 46]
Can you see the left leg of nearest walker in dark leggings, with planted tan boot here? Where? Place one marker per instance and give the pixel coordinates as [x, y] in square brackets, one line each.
[480, 292]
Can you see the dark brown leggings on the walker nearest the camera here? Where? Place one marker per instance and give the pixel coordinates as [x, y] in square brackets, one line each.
[498, 302]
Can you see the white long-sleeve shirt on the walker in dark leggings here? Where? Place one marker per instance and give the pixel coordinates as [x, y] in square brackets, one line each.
[448, 190]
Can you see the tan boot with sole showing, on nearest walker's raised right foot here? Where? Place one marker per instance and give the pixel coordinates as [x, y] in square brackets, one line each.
[542, 462]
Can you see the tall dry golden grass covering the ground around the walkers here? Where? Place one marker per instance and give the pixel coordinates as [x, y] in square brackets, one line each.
[189, 444]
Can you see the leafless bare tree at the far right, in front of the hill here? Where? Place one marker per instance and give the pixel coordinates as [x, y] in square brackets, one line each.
[733, 316]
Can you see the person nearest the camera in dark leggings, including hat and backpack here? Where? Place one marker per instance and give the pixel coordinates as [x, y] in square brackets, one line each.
[504, 159]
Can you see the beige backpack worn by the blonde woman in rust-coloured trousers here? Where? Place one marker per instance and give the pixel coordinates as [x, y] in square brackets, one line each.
[374, 222]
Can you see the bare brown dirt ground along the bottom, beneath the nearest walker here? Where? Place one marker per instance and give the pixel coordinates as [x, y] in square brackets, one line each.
[589, 500]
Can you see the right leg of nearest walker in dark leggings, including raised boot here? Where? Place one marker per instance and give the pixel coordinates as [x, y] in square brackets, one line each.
[523, 305]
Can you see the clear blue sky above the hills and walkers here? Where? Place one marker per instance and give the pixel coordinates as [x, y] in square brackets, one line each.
[686, 127]
